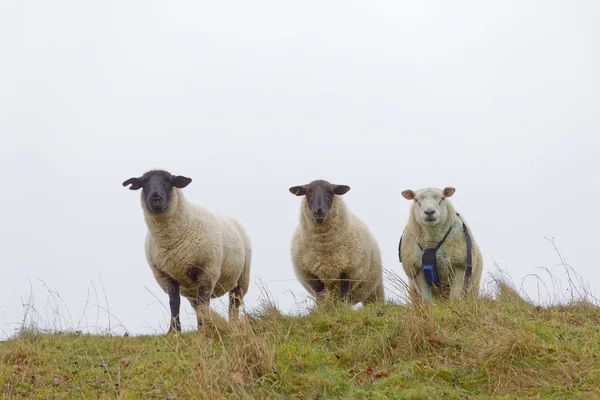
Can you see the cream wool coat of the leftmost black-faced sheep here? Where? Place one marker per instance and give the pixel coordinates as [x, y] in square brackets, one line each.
[186, 235]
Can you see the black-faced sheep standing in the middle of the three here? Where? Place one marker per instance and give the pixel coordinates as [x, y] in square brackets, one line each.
[332, 250]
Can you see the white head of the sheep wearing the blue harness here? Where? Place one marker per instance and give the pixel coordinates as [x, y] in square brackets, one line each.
[430, 205]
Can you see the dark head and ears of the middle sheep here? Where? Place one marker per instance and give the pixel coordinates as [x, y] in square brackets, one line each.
[319, 197]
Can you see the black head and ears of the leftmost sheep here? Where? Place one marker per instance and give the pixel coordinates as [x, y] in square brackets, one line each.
[157, 187]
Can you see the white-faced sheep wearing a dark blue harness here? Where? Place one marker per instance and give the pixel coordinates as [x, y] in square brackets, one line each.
[433, 218]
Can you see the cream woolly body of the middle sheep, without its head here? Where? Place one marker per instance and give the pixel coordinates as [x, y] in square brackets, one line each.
[341, 244]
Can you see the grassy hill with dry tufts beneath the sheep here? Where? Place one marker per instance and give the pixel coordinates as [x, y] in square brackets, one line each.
[491, 348]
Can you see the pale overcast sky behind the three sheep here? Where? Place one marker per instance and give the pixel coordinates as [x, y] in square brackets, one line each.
[500, 100]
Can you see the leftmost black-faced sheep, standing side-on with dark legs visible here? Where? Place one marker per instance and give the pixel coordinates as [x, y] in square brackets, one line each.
[191, 251]
